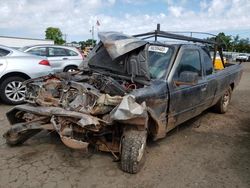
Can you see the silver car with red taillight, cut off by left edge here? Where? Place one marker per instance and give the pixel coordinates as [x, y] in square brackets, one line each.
[15, 67]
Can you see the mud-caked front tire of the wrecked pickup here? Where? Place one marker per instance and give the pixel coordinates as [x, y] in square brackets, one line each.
[133, 147]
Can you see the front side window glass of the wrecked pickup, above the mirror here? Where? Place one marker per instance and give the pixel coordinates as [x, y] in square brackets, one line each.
[190, 61]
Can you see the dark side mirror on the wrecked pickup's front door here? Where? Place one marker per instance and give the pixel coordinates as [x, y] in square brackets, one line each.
[187, 78]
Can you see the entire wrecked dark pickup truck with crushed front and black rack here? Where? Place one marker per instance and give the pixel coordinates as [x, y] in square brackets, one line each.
[132, 89]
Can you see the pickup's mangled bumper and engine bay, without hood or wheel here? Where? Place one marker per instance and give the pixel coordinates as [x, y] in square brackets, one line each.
[82, 109]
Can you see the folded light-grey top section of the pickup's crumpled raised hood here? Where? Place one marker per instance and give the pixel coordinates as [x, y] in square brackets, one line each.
[118, 44]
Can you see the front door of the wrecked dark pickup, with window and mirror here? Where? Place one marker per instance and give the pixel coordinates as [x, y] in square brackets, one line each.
[186, 97]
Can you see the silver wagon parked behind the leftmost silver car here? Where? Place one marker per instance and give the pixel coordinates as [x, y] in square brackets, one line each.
[61, 58]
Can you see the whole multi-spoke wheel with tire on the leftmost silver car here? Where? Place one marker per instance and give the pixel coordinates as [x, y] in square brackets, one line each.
[12, 90]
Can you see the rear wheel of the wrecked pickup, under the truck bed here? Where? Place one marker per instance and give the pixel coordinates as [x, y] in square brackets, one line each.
[222, 105]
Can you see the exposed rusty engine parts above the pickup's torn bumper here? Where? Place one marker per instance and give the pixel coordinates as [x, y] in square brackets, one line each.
[55, 90]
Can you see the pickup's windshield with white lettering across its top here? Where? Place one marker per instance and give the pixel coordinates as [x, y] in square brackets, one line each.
[159, 59]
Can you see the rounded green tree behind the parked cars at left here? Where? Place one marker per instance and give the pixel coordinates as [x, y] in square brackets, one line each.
[54, 34]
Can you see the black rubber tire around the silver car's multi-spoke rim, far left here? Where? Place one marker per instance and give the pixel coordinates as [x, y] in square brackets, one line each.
[3, 86]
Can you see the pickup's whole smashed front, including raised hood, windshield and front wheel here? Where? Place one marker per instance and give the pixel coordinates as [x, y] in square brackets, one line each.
[112, 104]
